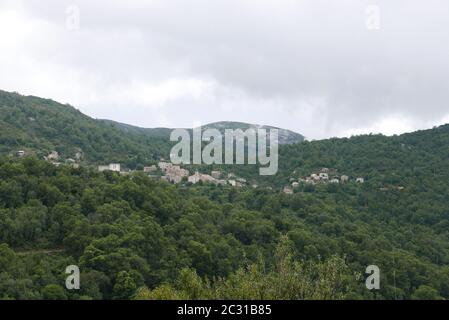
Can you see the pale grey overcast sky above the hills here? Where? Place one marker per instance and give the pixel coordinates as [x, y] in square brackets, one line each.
[321, 68]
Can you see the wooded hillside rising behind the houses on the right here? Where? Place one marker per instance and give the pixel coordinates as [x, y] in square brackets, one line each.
[418, 159]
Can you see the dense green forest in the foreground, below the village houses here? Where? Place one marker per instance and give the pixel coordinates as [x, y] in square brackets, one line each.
[137, 238]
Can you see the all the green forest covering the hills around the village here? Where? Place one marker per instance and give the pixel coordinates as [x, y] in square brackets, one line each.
[136, 237]
